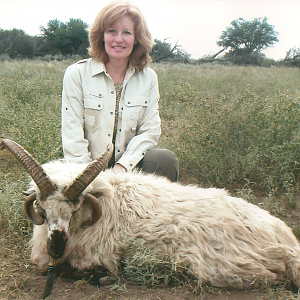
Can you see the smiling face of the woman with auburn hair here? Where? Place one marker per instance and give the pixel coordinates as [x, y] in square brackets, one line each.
[119, 39]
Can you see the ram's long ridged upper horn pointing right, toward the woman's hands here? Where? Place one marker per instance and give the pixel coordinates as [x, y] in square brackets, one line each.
[80, 183]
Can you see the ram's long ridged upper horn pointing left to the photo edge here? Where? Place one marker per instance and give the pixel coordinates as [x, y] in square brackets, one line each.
[31, 165]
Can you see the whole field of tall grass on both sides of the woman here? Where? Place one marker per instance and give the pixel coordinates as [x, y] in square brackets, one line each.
[229, 126]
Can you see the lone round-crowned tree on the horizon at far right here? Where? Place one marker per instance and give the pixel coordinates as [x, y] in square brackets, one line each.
[247, 38]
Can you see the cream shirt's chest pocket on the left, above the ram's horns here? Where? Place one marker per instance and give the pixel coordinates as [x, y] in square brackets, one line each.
[93, 106]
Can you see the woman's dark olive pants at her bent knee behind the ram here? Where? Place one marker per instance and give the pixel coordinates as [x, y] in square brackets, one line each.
[161, 162]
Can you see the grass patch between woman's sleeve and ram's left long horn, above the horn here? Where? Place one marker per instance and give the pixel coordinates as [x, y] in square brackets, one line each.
[30, 106]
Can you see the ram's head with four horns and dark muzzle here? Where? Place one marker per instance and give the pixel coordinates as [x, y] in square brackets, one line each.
[40, 204]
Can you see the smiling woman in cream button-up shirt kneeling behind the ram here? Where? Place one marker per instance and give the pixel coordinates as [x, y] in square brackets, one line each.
[113, 97]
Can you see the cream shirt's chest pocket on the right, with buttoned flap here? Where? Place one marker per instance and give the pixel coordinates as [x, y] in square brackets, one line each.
[135, 106]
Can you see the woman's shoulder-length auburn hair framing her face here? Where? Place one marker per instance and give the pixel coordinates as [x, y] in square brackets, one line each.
[106, 17]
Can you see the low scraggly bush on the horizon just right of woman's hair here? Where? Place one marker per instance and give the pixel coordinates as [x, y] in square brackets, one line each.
[164, 51]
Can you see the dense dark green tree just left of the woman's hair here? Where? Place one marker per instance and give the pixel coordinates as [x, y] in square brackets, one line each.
[65, 38]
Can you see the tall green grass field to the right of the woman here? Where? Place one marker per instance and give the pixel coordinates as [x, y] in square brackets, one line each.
[233, 127]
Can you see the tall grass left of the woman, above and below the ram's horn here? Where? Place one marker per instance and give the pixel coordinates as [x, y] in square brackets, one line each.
[30, 115]
